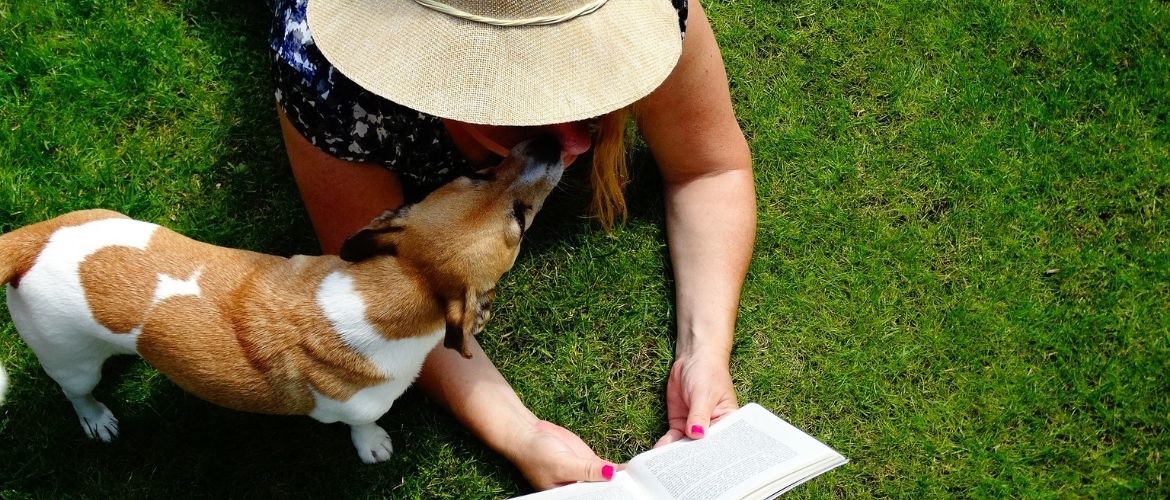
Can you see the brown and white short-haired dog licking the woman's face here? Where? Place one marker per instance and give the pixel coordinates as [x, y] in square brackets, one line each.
[336, 339]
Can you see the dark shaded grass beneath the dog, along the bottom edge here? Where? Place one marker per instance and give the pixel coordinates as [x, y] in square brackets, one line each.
[175, 446]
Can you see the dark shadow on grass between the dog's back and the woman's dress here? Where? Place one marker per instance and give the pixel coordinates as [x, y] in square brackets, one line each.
[256, 186]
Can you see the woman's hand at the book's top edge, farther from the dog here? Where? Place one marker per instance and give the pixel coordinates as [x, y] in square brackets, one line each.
[698, 393]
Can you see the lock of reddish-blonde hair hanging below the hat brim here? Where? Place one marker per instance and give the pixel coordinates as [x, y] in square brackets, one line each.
[610, 173]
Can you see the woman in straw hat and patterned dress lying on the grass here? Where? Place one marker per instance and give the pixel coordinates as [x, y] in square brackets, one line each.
[380, 101]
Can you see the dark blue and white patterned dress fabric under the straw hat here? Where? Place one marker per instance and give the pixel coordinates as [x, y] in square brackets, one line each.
[350, 124]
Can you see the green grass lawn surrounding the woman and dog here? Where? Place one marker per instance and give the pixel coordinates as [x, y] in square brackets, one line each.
[962, 277]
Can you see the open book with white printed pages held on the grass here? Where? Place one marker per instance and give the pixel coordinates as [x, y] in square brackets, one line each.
[748, 455]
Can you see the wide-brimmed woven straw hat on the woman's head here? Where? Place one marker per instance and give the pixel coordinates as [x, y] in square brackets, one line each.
[501, 63]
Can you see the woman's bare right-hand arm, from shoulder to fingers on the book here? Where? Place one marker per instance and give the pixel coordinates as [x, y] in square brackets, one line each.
[711, 210]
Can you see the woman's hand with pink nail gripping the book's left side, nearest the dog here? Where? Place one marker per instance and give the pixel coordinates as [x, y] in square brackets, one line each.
[552, 456]
